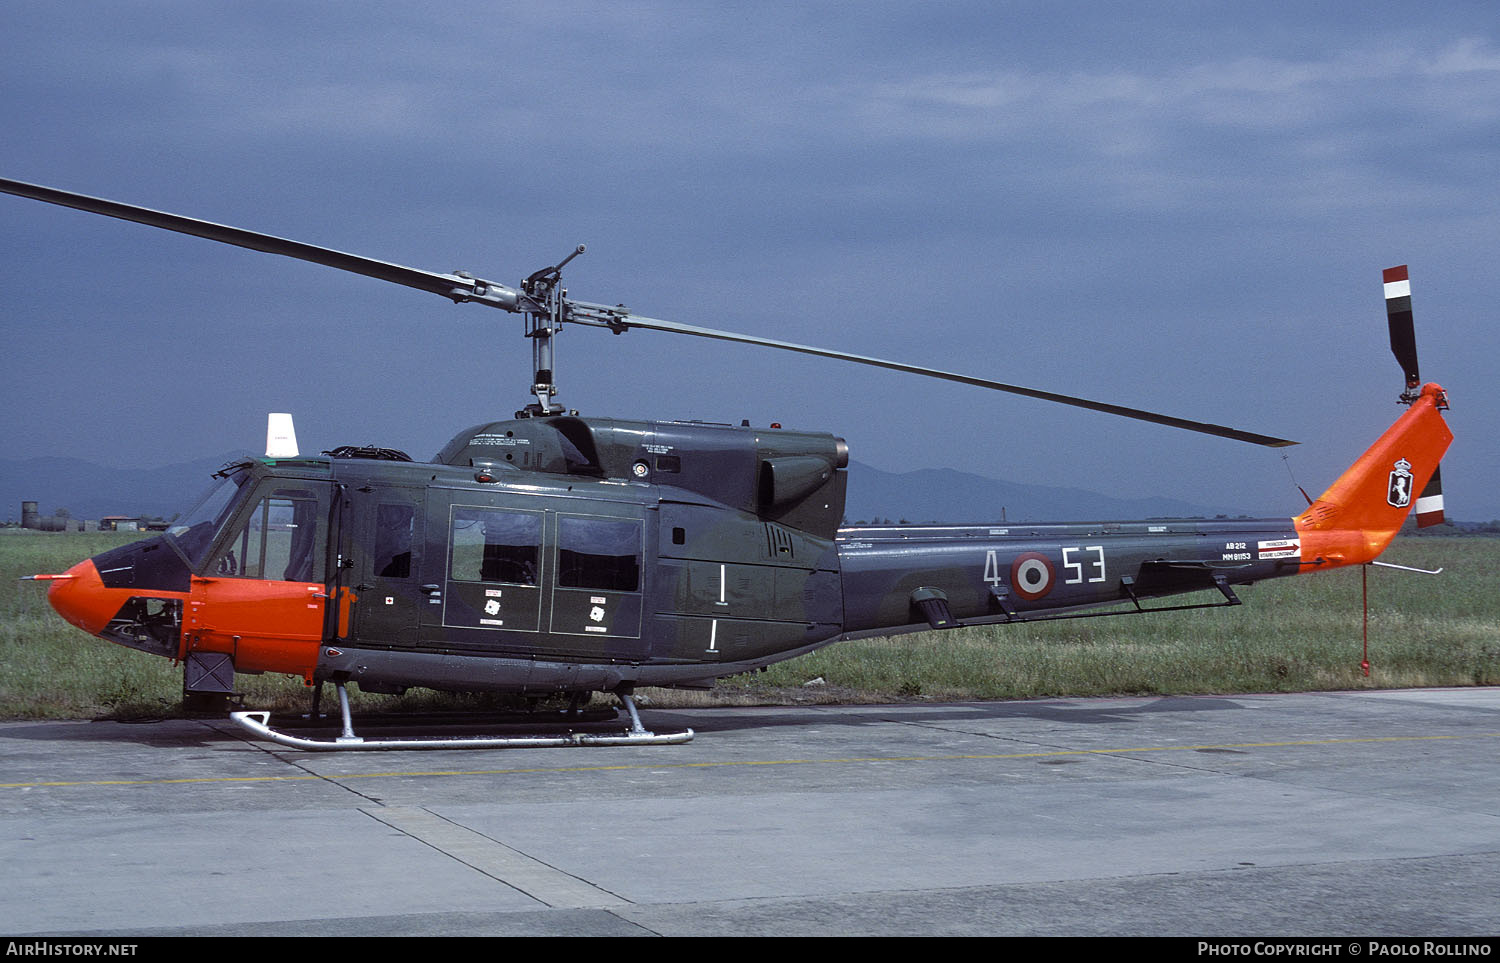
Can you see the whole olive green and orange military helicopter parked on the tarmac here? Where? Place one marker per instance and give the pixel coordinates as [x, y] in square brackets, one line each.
[554, 554]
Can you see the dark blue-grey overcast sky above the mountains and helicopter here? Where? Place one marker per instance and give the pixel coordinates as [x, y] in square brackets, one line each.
[1184, 209]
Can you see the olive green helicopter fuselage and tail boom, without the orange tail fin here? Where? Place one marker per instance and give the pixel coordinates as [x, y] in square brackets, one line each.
[590, 554]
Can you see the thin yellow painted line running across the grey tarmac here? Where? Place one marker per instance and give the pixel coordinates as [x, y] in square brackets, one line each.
[338, 778]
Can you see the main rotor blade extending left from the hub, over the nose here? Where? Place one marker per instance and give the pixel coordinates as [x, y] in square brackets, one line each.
[448, 286]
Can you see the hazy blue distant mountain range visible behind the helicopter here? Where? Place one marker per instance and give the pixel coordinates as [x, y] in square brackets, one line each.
[92, 491]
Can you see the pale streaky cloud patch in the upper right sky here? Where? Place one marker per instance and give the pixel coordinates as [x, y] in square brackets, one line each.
[1316, 133]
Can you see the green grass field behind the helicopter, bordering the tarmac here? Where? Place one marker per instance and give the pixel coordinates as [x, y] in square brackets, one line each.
[1291, 635]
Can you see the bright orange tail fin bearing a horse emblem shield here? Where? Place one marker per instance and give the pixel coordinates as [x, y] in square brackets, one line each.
[1354, 521]
